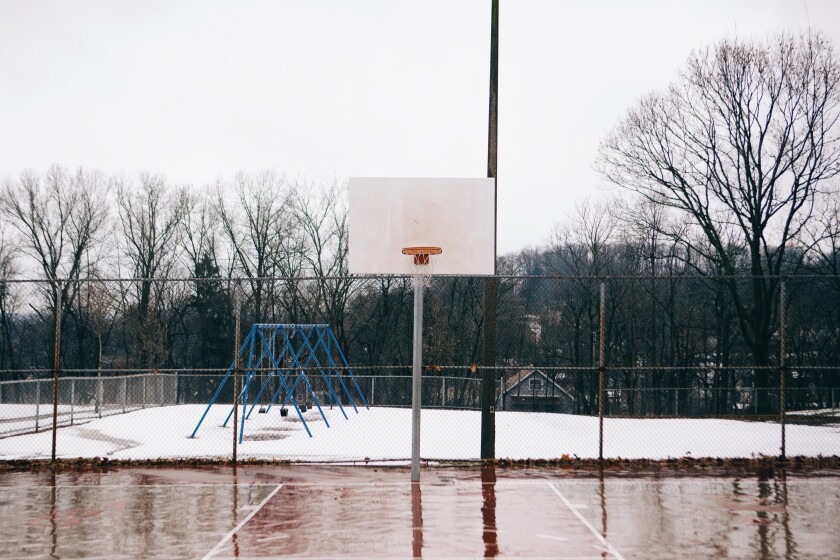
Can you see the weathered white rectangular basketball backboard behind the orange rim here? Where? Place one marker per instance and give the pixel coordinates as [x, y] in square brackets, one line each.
[388, 214]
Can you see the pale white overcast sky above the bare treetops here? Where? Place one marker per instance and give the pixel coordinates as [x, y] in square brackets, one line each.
[332, 89]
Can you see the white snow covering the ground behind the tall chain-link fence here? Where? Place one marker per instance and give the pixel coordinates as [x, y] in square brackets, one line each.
[385, 434]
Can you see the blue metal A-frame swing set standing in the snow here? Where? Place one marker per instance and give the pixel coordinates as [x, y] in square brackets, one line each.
[270, 343]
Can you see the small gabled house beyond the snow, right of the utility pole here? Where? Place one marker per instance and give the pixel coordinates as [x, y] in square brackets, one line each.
[531, 390]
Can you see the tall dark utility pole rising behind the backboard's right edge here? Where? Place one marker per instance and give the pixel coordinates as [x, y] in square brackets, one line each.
[488, 374]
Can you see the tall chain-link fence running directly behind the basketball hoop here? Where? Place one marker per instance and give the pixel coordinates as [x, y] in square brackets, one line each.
[621, 366]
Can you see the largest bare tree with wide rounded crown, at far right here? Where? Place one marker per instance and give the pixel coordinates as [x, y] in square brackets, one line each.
[739, 146]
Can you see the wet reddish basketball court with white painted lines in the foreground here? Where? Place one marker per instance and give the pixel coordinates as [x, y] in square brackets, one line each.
[368, 512]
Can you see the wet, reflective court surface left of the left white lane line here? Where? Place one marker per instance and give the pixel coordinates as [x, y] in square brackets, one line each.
[107, 521]
